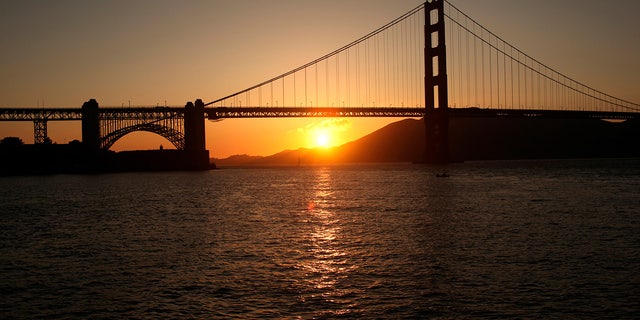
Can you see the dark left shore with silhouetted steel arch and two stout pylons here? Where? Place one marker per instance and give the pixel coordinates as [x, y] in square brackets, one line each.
[101, 128]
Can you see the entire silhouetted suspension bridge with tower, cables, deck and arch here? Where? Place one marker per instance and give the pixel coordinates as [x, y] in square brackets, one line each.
[433, 62]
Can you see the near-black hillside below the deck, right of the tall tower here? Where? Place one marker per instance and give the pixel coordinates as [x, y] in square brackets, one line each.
[529, 138]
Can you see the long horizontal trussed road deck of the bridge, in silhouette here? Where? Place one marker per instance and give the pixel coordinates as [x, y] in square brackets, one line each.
[217, 113]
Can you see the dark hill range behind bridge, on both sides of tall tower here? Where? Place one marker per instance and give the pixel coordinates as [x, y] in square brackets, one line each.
[472, 139]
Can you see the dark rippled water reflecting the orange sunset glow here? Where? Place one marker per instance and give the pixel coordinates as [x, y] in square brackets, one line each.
[519, 239]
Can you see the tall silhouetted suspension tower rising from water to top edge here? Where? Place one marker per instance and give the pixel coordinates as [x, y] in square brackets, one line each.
[436, 118]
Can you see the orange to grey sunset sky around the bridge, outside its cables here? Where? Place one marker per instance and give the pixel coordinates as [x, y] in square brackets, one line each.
[160, 52]
